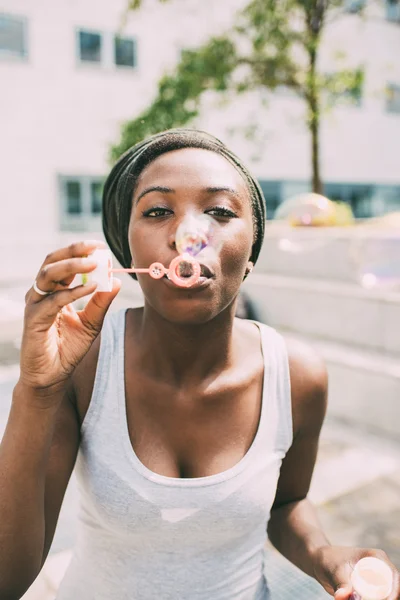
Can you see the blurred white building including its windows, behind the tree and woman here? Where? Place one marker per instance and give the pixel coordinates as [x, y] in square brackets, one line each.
[72, 71]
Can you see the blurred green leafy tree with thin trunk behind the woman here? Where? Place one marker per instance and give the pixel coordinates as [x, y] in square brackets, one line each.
[271, 44]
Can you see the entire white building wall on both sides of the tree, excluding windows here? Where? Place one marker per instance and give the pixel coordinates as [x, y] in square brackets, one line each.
[59, 117]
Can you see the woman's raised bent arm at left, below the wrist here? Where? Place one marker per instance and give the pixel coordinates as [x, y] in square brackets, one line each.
[37, 455]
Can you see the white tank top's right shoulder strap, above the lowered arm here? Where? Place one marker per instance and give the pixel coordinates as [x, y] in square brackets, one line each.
[277, 412]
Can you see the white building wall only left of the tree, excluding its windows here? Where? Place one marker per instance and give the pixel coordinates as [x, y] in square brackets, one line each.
[59, 116]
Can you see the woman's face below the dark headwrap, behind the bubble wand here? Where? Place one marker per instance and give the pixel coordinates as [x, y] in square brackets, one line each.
[182, 182]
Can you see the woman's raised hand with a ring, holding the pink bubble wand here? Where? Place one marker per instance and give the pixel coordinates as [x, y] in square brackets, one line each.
[56, 337]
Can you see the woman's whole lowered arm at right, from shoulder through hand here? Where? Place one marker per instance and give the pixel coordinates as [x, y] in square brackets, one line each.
[294, 528]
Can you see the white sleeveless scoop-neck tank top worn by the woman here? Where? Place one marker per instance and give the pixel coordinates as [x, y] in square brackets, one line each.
[145, 536]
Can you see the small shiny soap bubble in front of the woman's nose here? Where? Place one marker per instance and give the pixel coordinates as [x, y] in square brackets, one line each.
[196, 233]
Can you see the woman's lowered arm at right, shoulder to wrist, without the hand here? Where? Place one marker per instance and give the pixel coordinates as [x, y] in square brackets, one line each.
[294, 528]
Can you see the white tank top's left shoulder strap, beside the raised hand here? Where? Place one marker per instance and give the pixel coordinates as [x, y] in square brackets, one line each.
[104, 399]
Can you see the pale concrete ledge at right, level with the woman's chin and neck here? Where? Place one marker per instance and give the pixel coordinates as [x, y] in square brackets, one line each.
[341, 312]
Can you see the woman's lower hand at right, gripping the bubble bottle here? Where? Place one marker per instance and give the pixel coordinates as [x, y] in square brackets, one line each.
[334, 565]
